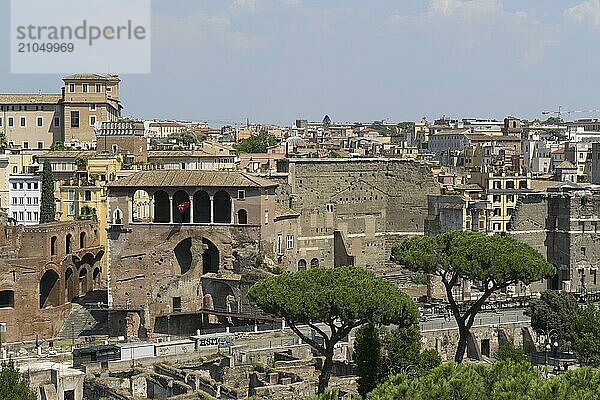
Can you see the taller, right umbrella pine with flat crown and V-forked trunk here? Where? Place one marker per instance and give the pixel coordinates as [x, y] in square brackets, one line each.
[495, 261]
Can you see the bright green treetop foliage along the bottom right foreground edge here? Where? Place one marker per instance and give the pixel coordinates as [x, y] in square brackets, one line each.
[498, 381]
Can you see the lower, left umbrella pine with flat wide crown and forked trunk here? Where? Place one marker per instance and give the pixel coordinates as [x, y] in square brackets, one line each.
[338, 298]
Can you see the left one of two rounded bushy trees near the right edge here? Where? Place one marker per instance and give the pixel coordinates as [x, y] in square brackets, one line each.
[554, 310]
